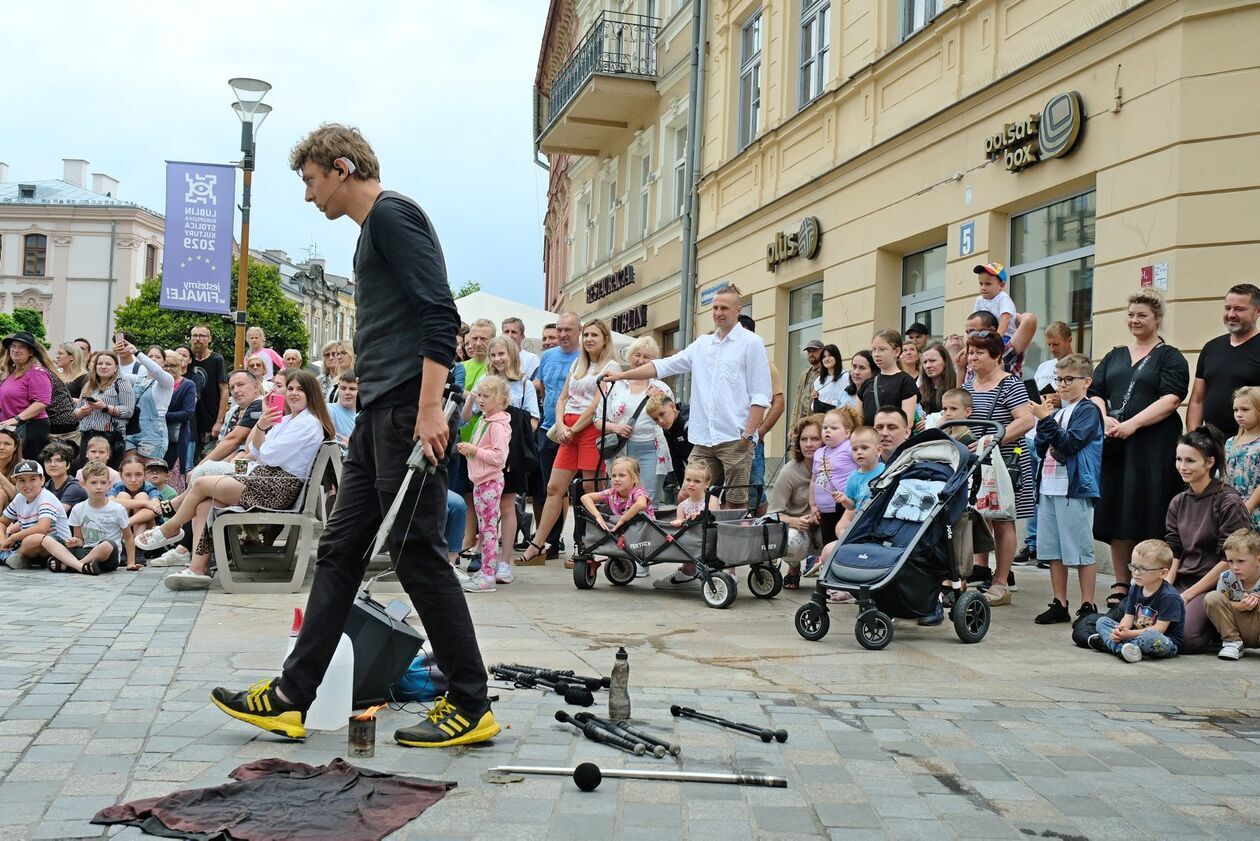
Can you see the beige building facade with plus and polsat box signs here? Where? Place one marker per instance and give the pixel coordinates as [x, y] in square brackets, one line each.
[1091, 146]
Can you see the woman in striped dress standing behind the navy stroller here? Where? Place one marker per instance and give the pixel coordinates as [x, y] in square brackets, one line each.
[1002, 398]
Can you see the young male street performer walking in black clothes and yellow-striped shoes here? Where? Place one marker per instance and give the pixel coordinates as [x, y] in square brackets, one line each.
[405, 311]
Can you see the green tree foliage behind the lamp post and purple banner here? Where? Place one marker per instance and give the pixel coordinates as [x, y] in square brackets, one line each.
[279, 317]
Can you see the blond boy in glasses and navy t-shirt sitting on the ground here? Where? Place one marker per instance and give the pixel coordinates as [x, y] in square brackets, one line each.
[1154, 612]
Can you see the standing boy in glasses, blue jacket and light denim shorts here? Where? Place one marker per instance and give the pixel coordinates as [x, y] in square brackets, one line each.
[1070, 446]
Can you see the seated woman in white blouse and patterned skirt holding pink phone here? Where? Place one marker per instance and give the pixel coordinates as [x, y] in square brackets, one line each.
[282, 449]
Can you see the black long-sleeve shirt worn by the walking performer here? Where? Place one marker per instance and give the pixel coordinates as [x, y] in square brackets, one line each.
[405, 308]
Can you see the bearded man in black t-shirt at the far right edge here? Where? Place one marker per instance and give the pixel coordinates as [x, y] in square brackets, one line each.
[1228, 362]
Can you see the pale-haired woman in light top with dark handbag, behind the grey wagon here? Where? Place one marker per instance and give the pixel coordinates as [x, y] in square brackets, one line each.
[626, 428]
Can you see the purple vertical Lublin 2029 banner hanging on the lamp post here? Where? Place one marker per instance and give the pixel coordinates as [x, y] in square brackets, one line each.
[197, 257]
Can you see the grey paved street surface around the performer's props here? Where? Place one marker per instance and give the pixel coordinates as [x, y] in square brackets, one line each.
[104, 699]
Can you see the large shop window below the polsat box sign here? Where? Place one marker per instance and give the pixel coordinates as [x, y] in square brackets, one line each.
[1053, 270]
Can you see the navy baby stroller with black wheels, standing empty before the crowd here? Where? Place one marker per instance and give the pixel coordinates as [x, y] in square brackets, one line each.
[919, 528]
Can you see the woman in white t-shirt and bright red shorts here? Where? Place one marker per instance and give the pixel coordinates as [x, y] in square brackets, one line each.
[574, 431]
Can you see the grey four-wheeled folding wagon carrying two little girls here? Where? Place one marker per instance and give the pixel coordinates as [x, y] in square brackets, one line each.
[716, 542]
